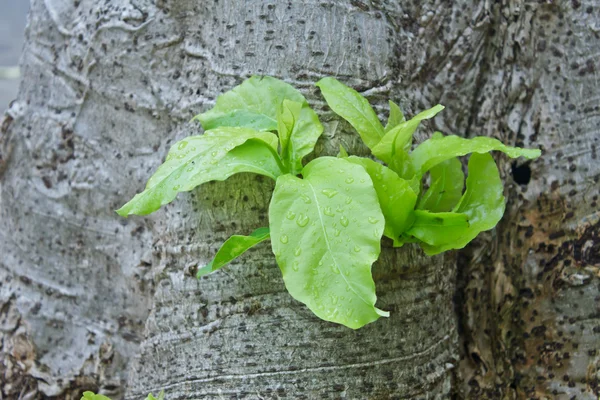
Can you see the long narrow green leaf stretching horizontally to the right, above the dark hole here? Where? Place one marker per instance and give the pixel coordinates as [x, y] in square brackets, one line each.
[440, 148]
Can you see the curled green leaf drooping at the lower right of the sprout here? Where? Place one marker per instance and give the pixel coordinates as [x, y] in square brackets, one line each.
[482, 203]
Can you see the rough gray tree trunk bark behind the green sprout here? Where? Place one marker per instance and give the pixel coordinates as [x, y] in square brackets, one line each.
[92, 301]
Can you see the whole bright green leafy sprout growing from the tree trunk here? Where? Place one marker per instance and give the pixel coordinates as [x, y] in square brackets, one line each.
[326, 219]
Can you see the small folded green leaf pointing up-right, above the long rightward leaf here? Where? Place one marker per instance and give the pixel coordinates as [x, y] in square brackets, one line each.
[400, 137]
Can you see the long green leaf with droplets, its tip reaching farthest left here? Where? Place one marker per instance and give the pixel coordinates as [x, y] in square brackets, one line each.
[216, 155]
